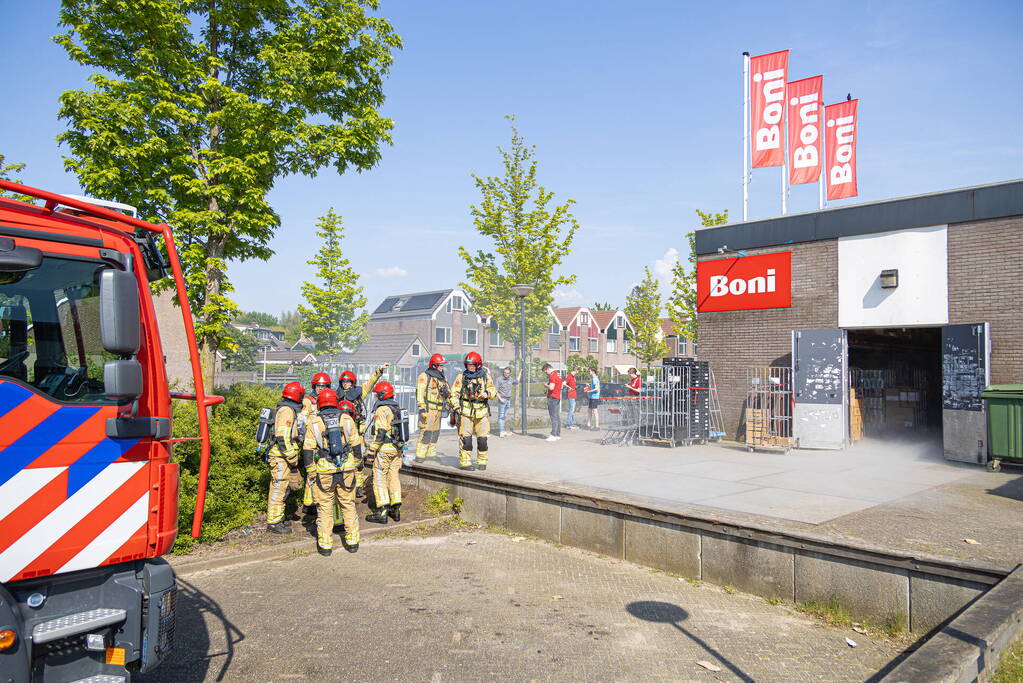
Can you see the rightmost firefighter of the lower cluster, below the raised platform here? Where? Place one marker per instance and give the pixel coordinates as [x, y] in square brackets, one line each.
[385, 446]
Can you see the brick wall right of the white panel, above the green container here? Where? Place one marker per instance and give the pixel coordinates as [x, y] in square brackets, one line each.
[986, 285]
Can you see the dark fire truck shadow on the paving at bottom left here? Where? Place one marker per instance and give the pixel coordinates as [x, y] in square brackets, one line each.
[192, 658]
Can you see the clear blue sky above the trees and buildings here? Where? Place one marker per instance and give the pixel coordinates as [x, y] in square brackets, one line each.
[636, 110]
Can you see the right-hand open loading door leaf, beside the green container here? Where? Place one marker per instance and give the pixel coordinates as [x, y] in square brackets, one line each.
[965, 374]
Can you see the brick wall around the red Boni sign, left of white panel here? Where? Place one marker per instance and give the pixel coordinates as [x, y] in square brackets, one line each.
[733, 341]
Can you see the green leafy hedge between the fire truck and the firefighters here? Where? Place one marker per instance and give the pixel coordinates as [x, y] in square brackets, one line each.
[239, 479]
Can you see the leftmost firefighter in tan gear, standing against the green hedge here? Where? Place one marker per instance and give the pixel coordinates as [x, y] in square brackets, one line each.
[284, 458]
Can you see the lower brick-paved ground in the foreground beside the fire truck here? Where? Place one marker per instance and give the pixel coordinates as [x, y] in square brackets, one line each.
[481, 607]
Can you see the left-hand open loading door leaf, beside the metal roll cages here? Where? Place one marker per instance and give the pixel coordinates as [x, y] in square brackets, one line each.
[820, 378]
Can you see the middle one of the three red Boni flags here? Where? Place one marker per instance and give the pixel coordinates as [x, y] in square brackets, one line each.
[807, 129]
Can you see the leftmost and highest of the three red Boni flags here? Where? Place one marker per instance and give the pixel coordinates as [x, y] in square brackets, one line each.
[769, 74]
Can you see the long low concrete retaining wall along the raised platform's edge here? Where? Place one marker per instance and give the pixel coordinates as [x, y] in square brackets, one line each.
[874, 583]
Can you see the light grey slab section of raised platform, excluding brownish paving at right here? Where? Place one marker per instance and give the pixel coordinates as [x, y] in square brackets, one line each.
[811, 487]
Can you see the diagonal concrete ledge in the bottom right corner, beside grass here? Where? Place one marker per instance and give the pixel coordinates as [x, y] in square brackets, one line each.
[968, 649]
